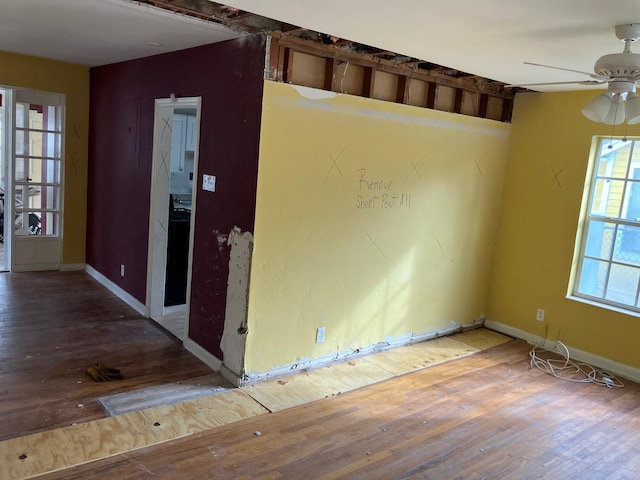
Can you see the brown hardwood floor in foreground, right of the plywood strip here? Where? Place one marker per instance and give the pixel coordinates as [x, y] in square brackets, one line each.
[484, 416]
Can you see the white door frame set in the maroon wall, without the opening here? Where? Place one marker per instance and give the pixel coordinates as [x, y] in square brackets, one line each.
[159, 203]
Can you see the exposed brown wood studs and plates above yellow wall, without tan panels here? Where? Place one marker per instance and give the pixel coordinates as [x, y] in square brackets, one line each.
[282, 67]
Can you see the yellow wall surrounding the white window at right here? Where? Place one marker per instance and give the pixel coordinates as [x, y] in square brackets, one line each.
[540, 212]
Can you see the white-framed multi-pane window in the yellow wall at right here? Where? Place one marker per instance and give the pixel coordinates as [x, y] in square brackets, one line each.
[608, 267]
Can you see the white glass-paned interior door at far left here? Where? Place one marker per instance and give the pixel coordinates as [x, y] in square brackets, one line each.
[36, 180]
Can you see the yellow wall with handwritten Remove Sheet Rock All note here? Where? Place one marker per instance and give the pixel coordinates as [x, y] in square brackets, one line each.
[408, 264]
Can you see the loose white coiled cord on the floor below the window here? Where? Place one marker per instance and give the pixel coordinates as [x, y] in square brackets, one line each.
[567, 369]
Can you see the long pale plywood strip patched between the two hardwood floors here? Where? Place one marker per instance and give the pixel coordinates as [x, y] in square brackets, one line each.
[62, 448]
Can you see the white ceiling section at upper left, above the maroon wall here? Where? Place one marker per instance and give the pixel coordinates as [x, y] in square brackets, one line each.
[98, 32]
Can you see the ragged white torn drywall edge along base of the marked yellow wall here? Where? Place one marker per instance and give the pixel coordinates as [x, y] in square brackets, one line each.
[338, 357]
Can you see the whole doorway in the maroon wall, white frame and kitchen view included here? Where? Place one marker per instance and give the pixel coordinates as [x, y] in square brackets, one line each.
[175, 161]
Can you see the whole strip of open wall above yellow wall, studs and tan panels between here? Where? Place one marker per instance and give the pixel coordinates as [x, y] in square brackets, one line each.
[305, 63]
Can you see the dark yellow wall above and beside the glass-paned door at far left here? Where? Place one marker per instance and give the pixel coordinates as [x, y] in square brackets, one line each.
[73, 81]
